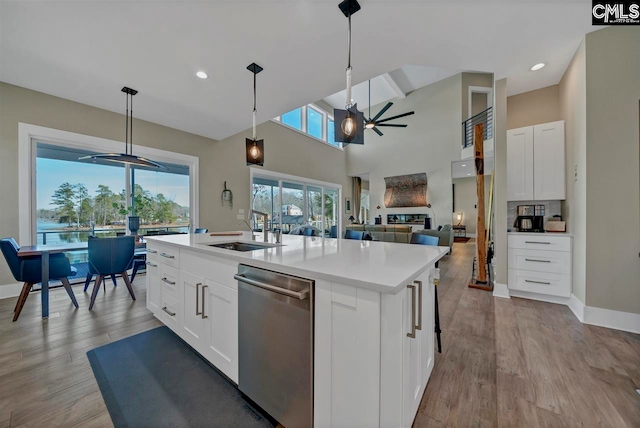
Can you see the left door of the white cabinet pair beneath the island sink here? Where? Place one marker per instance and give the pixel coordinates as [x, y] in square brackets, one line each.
[193, 323]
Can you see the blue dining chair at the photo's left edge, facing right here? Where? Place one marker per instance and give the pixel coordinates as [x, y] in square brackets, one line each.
[29, 271]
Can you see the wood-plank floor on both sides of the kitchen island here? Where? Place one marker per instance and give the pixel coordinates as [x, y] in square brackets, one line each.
[505, 363]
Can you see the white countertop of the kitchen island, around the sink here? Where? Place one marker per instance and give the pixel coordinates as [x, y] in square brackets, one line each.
[380, 266]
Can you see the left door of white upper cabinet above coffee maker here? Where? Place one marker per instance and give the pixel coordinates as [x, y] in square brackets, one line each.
[520, 164]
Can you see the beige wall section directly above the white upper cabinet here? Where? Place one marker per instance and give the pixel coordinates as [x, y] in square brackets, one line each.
[534, 107]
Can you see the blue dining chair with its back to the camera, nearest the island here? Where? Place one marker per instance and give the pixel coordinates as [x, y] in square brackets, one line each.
[109, 256]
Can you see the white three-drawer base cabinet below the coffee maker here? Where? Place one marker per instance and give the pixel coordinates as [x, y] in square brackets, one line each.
[540, 264]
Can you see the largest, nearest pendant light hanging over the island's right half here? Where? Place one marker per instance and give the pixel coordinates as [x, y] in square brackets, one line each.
[350, 119]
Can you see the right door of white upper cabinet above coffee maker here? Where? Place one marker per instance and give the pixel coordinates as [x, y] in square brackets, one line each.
[548, 161]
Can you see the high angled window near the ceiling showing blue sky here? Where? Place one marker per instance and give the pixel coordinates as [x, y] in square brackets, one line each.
[313, 121]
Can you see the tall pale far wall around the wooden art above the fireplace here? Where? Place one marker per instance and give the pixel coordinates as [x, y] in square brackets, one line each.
[429, 144]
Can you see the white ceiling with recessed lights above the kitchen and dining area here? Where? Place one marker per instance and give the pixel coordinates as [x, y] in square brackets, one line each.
[86, 51]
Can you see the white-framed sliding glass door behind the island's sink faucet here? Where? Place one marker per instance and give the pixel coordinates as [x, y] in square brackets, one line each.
[295, 203]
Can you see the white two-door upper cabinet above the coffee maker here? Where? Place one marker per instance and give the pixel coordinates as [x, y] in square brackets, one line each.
[535, 162]
